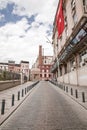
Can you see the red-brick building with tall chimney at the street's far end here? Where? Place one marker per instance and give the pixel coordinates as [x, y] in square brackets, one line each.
[42, 66]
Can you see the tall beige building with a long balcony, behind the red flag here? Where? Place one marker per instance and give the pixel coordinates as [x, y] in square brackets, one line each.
[70, 51]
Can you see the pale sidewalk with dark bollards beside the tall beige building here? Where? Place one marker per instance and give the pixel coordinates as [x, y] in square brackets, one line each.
[79, 94]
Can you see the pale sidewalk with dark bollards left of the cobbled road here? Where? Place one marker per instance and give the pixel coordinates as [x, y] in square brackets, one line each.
[13, 97]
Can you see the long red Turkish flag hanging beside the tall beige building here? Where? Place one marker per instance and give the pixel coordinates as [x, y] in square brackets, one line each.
[60, 19]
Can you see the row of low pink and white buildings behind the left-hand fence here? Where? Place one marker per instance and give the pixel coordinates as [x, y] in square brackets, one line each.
[15, 71]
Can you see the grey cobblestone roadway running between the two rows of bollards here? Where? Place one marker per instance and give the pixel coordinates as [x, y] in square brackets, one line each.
[47, 108]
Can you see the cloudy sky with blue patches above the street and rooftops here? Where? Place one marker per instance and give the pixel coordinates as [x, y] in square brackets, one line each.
[24, 25]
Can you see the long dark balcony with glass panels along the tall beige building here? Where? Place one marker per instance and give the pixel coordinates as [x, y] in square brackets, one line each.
[76, 42]
